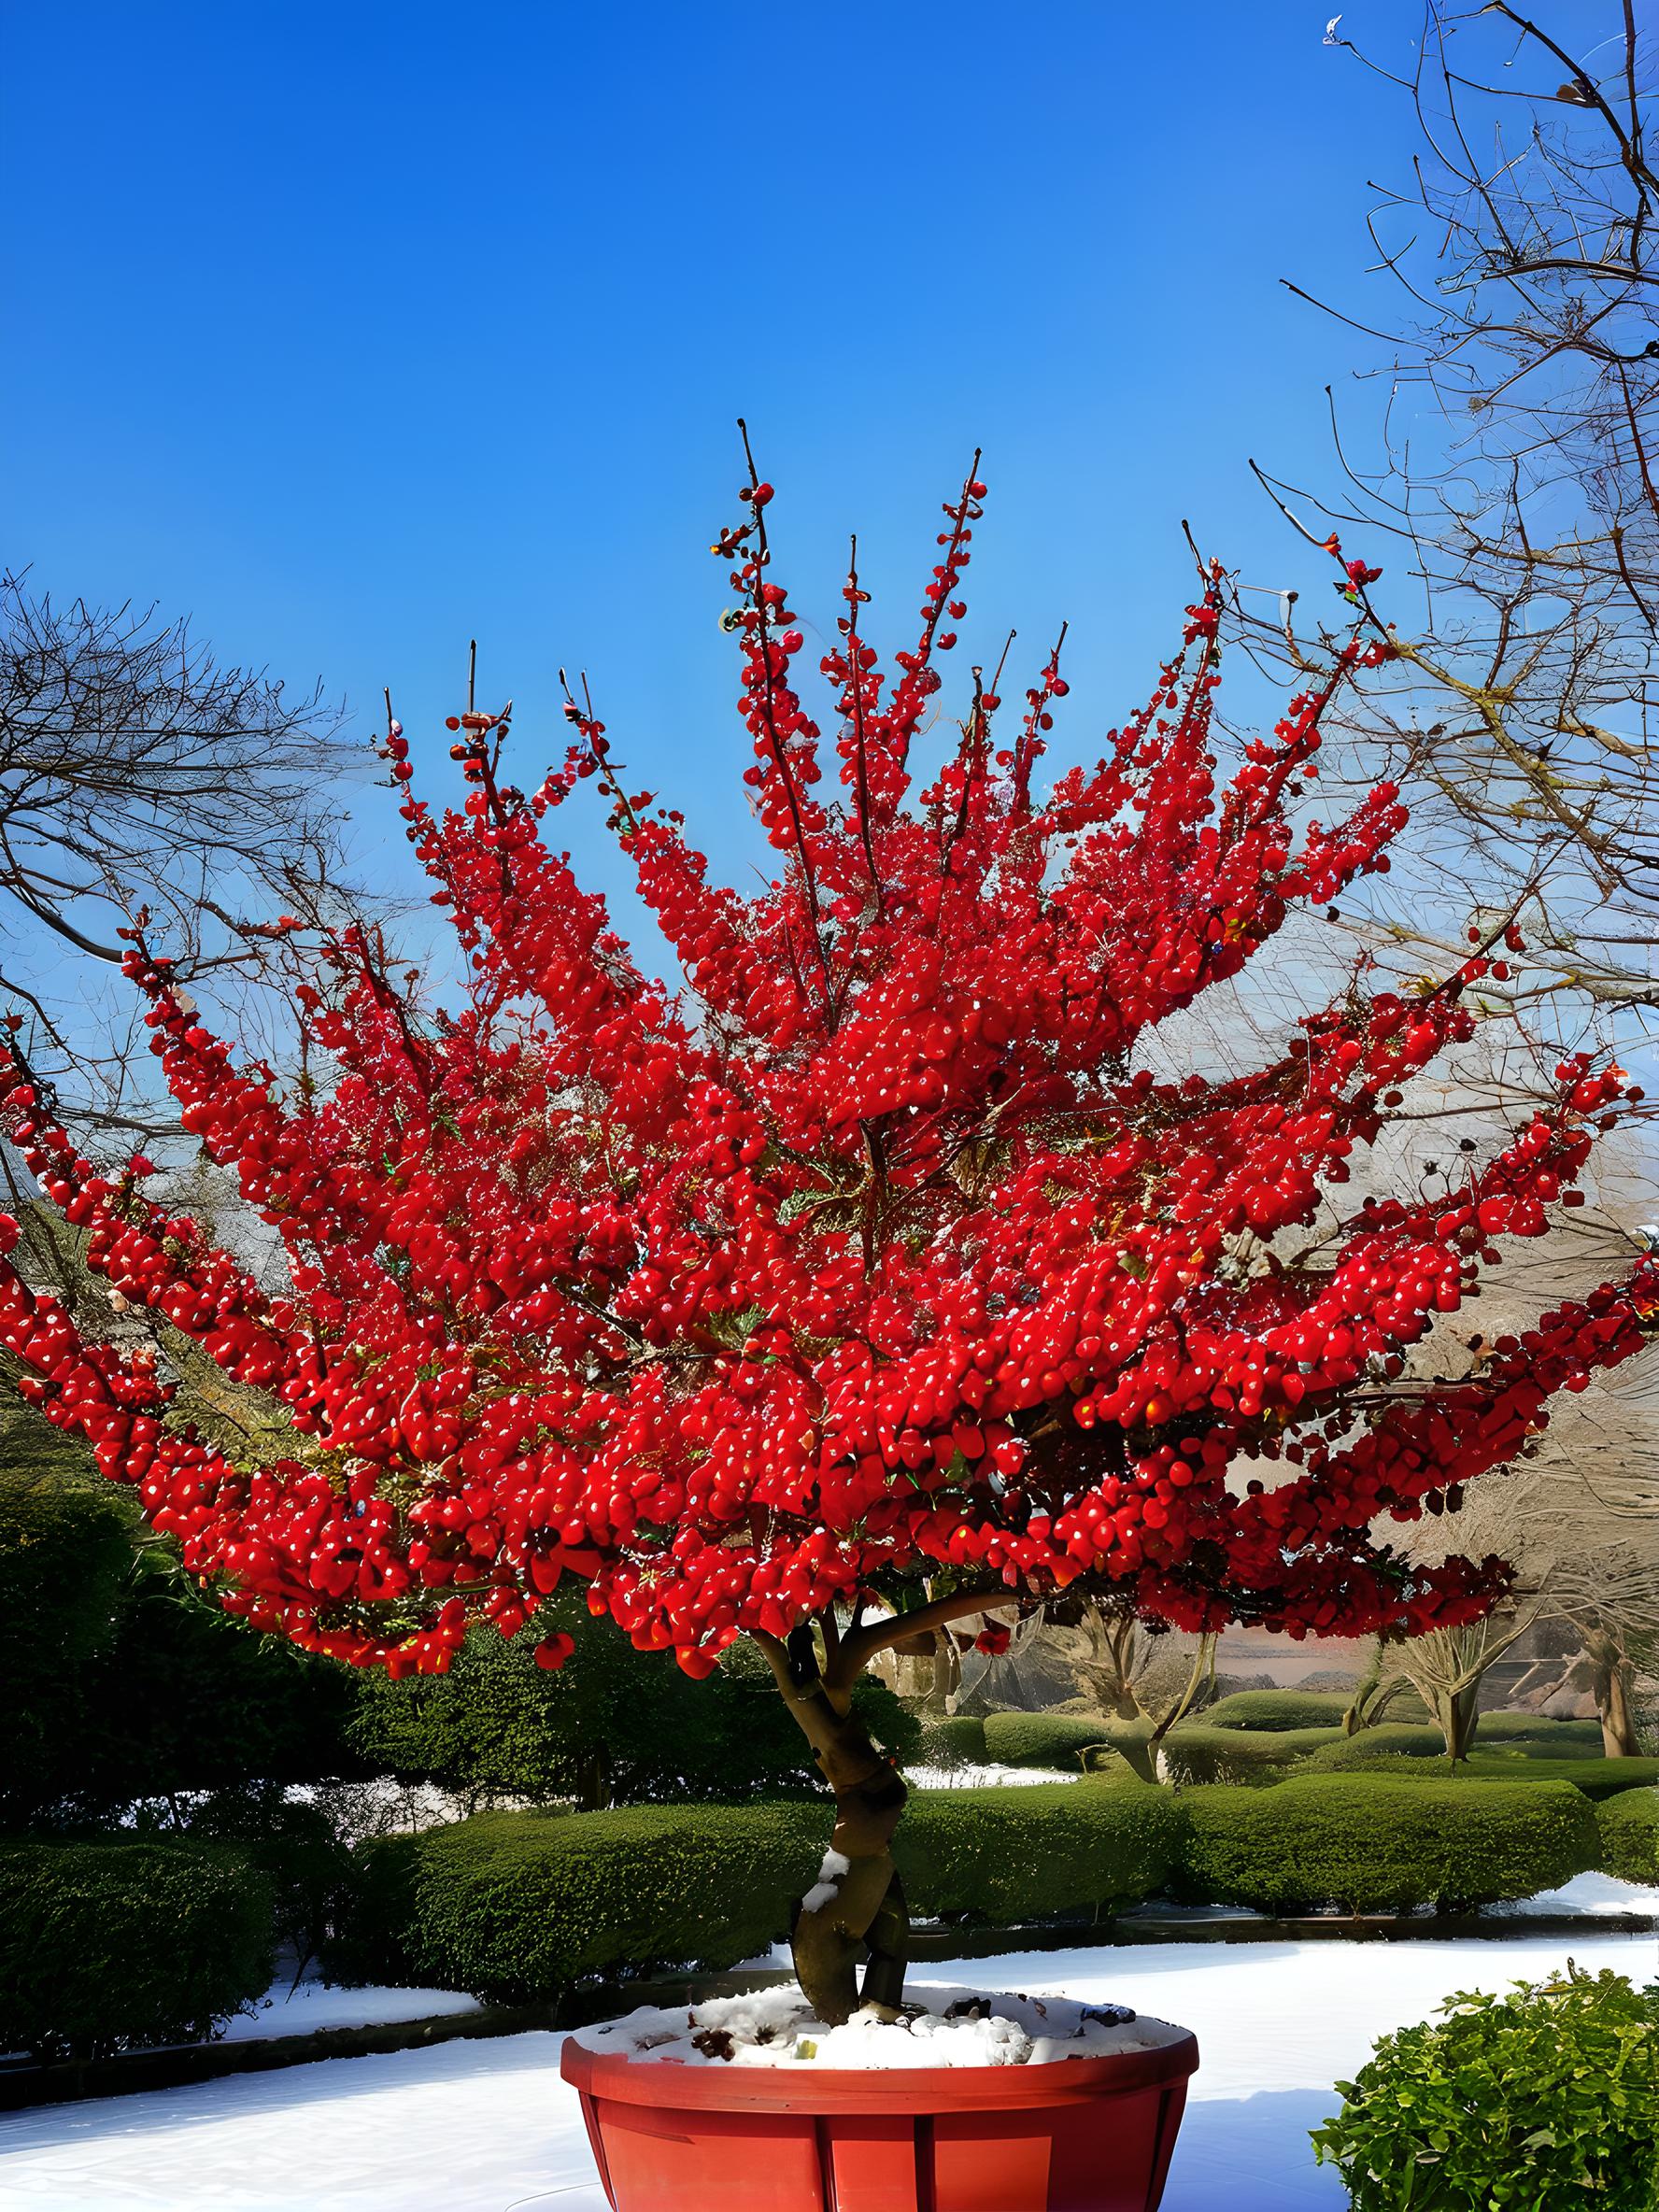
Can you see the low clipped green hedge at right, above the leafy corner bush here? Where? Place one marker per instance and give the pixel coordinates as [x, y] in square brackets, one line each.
[1381, 1846]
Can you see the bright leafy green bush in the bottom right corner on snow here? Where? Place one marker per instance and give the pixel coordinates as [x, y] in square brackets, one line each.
[1538, 2100]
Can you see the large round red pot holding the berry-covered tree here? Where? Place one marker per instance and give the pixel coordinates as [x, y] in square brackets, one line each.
[1072, 2136]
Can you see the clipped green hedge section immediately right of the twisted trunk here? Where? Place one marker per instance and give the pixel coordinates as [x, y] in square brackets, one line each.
[1041, 1853]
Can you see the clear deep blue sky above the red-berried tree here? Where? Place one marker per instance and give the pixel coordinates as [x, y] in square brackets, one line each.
[364, 328]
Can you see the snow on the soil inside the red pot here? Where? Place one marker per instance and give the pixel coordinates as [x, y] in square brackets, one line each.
[959, 2027]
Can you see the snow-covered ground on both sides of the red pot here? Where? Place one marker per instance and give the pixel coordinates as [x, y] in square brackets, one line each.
[488, 2127]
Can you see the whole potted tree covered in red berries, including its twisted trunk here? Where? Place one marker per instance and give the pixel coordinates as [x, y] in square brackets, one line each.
[868, 1282]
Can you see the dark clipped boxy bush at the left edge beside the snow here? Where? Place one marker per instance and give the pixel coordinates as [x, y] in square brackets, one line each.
[109, 1945]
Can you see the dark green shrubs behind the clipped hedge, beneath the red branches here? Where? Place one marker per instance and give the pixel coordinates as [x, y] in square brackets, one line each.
[612, 1726]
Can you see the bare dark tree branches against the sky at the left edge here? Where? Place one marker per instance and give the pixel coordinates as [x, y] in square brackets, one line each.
[138, 771]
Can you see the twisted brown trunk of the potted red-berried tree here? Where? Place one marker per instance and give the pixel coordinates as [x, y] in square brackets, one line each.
[857, 1908]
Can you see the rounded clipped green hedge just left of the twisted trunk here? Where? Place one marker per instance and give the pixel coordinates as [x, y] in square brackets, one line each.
[528, 1906]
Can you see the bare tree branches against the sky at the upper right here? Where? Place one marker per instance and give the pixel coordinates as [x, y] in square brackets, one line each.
[1514, 461]
